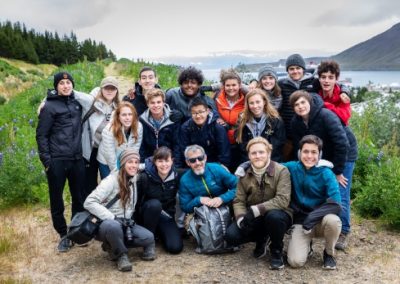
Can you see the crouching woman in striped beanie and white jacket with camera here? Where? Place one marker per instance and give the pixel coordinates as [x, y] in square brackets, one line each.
[117, 219]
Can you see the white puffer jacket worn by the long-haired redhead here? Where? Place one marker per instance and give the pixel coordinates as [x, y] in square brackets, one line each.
[109, 149]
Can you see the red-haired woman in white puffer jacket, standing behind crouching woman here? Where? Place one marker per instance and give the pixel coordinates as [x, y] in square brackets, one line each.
[123, 132]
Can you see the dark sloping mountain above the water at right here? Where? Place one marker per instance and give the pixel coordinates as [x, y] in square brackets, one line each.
[382, 52]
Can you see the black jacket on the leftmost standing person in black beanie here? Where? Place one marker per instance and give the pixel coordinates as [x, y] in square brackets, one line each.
[59, 131]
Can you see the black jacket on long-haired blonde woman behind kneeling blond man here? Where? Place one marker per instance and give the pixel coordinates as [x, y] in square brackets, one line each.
[274, 132]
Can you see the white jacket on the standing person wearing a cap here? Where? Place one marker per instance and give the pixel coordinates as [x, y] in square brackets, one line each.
[103, 111]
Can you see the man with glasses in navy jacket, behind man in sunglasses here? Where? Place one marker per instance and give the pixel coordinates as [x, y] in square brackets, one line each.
[204, 130]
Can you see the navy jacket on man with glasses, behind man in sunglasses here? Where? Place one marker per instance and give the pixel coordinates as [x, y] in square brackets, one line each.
[211, 136]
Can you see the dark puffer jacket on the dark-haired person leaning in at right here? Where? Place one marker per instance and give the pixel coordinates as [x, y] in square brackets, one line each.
[327, 126]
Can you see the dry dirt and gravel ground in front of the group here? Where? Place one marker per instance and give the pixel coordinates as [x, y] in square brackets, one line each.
[373, 257]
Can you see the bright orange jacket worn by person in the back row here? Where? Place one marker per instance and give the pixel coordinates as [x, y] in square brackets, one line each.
[228, 114]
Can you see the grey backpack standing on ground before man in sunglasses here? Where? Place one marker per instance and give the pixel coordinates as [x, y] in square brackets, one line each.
[208, 226]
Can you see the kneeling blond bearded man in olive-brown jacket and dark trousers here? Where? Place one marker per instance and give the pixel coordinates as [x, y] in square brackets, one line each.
[261, 204]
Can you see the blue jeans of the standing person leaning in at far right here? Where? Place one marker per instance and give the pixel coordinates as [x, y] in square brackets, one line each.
[345, 197]
